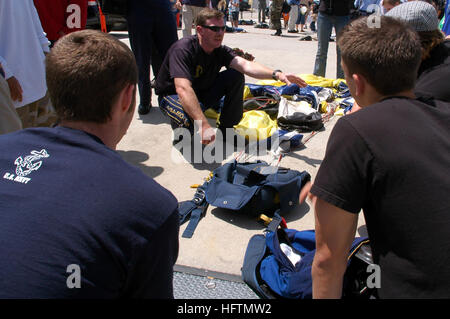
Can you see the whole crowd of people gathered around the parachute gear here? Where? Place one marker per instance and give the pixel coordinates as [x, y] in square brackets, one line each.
[77, 221]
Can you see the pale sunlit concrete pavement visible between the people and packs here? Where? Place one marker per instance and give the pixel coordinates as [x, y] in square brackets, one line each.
[221, 237]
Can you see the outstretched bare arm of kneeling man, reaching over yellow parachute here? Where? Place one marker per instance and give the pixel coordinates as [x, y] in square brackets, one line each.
[259, 71]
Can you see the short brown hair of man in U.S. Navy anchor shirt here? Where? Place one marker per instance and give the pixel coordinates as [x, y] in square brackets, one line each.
[86, 70]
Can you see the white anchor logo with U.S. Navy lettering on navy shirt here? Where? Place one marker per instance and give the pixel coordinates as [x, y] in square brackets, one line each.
[24, 166]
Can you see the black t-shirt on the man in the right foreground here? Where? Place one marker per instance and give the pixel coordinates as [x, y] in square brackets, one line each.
[392, 159]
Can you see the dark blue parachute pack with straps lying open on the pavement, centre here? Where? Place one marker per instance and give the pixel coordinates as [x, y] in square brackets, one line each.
[250, 188]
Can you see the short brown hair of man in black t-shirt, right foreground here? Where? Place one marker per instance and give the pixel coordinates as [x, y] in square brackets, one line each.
[387, 55]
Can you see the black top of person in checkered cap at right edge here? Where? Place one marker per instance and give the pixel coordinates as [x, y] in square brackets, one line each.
[434, 74]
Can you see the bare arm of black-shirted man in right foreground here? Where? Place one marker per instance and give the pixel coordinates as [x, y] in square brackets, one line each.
[335, 231]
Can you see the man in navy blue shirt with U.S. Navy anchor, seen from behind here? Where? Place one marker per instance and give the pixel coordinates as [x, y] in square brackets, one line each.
[76, 220]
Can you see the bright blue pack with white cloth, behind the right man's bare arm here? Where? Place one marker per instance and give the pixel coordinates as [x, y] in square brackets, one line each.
[277, 265]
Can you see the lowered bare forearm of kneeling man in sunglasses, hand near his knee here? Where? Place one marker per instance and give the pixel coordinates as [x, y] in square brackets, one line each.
[191, 105]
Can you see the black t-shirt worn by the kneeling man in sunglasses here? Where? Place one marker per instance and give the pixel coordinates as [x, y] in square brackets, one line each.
[186, 59]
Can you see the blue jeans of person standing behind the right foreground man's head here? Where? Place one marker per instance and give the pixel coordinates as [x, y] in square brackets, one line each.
[325, 24]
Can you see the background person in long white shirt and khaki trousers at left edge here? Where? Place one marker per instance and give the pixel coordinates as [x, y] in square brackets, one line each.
[23, 50]
